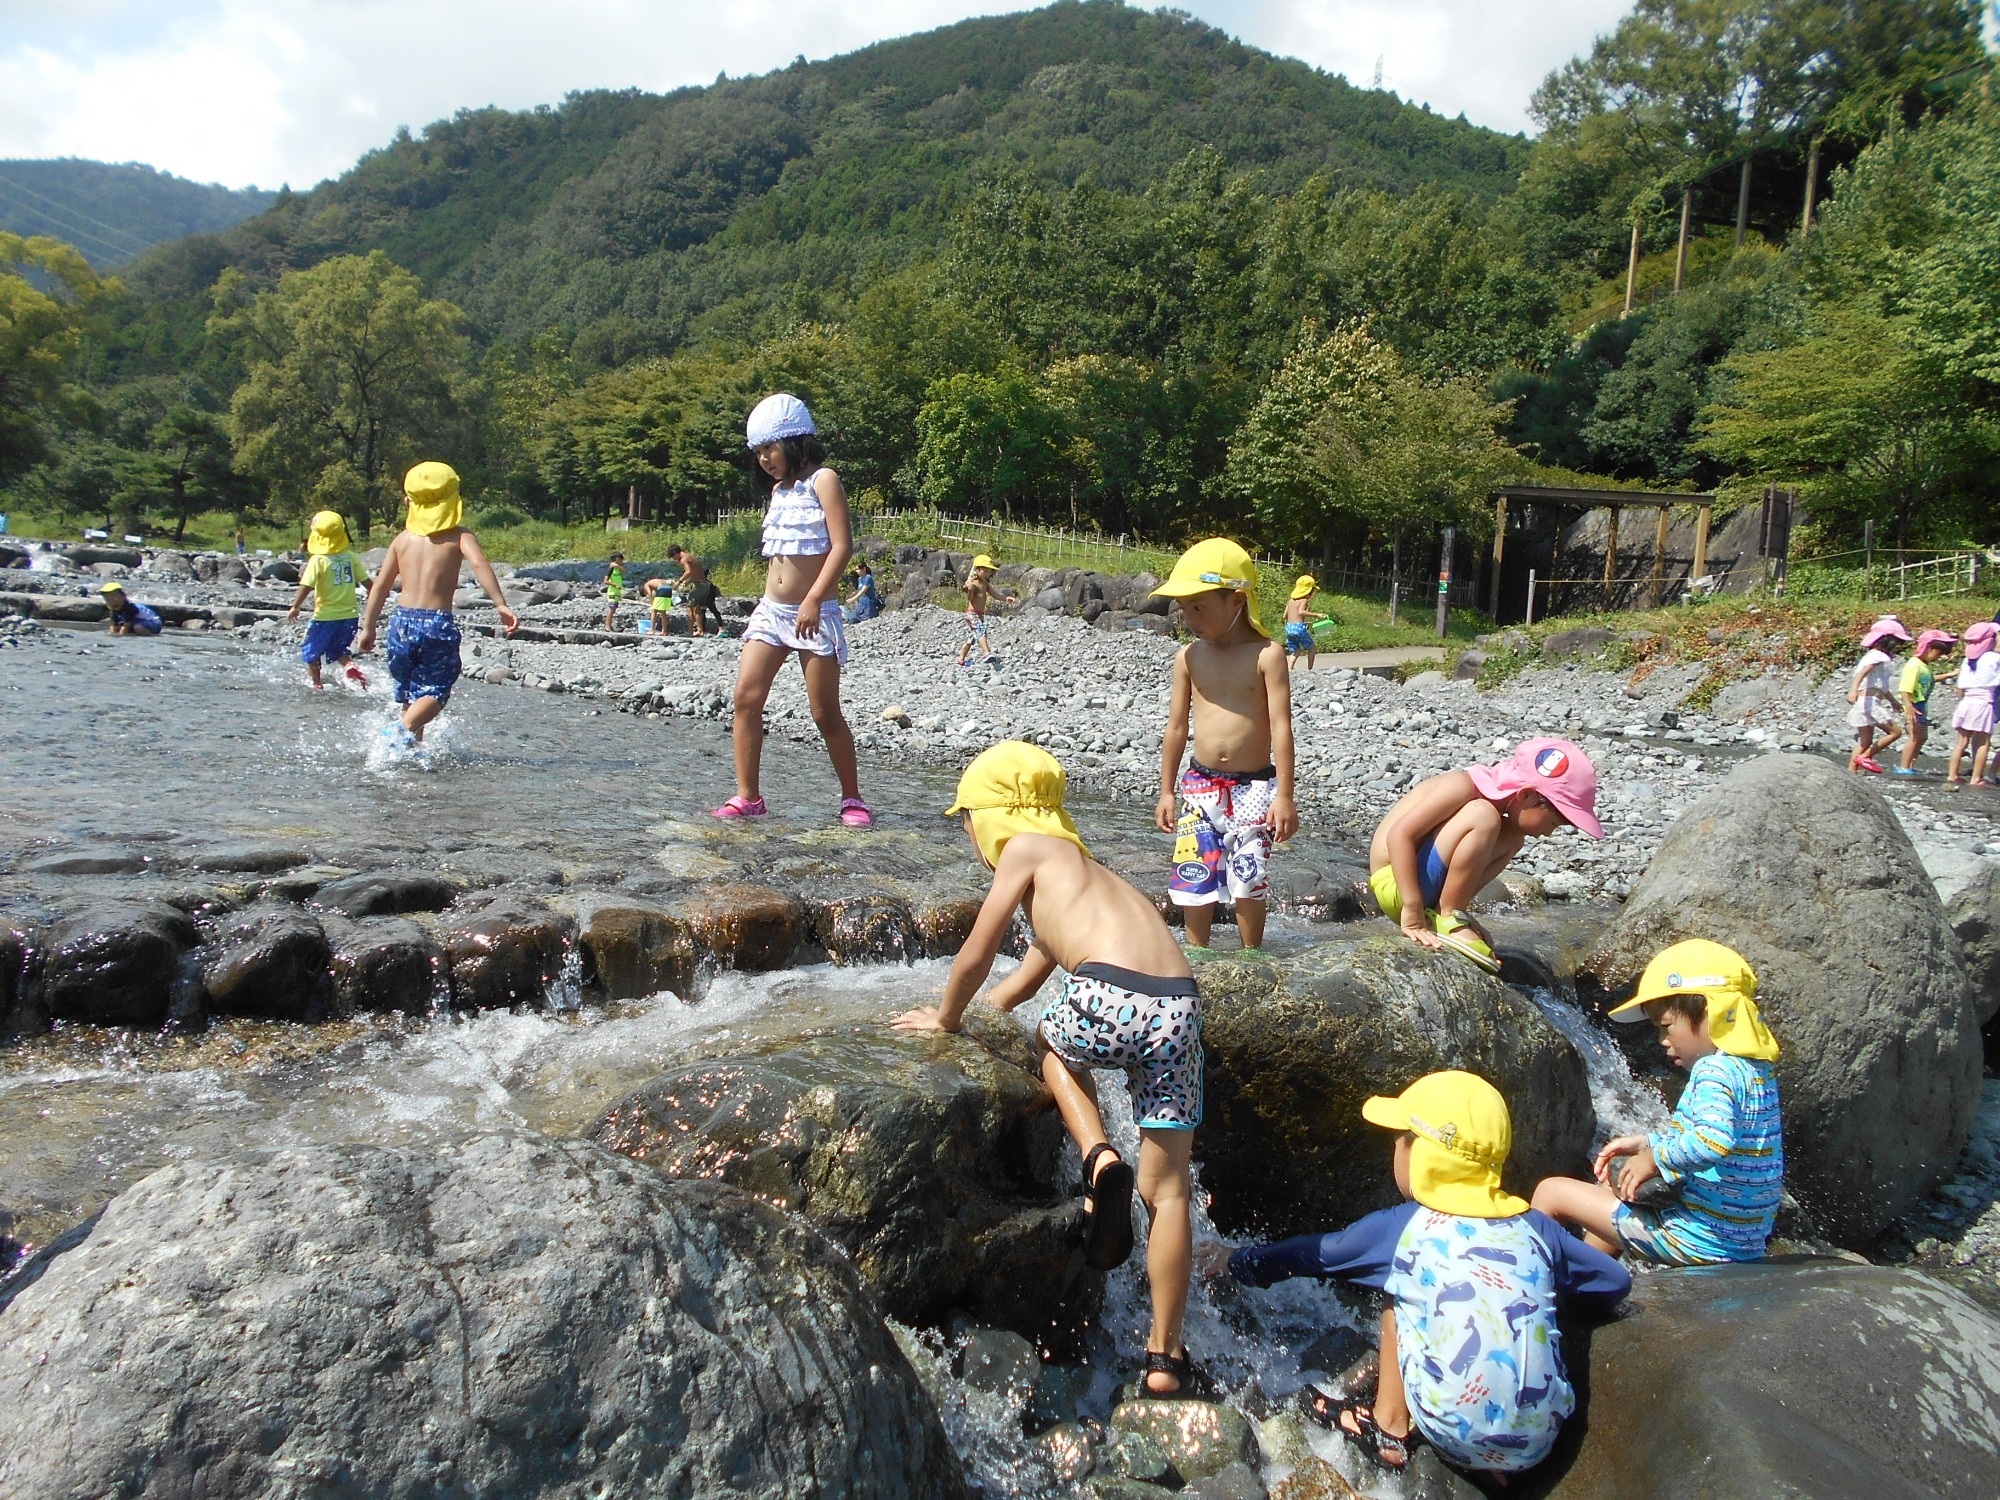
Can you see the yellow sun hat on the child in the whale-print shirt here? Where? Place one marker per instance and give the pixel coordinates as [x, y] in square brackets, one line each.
[1463, 1139]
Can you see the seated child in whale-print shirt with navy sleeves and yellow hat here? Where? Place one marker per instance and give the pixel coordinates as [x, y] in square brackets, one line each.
[1471, 1355]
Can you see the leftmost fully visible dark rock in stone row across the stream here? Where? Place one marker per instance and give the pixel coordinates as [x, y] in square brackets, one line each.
[115, 965]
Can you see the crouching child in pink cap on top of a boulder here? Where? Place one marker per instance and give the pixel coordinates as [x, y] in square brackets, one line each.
[1451, 835]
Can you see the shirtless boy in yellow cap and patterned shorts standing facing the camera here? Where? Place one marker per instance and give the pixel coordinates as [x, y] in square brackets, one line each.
[1237, 793]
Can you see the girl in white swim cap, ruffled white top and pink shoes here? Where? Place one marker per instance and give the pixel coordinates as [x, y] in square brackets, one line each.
[807, 541]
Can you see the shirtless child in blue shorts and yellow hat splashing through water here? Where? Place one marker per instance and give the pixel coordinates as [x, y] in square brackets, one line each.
[423, 637]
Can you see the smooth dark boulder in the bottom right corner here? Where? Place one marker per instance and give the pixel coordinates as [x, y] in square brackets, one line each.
[1785, 1379]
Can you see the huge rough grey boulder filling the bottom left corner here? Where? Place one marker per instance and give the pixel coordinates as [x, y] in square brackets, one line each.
[491, 1315]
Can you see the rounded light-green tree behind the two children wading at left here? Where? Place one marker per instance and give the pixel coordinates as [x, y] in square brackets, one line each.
[349, 365]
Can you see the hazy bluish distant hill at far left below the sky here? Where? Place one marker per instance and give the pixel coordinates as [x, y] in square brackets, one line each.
[115, 213]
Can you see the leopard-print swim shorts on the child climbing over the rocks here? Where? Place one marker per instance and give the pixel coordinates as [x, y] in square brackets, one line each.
[1111, 1017]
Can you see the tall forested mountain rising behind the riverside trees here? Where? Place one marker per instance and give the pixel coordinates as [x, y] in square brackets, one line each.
[635, 223]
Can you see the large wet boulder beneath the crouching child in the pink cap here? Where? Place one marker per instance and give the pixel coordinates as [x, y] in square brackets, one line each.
[1295, 1047]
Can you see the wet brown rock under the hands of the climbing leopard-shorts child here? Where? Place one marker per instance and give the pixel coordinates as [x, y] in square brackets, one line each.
[931, 1159]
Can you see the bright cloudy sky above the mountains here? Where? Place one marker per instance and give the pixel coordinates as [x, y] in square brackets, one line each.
[267, 93]
